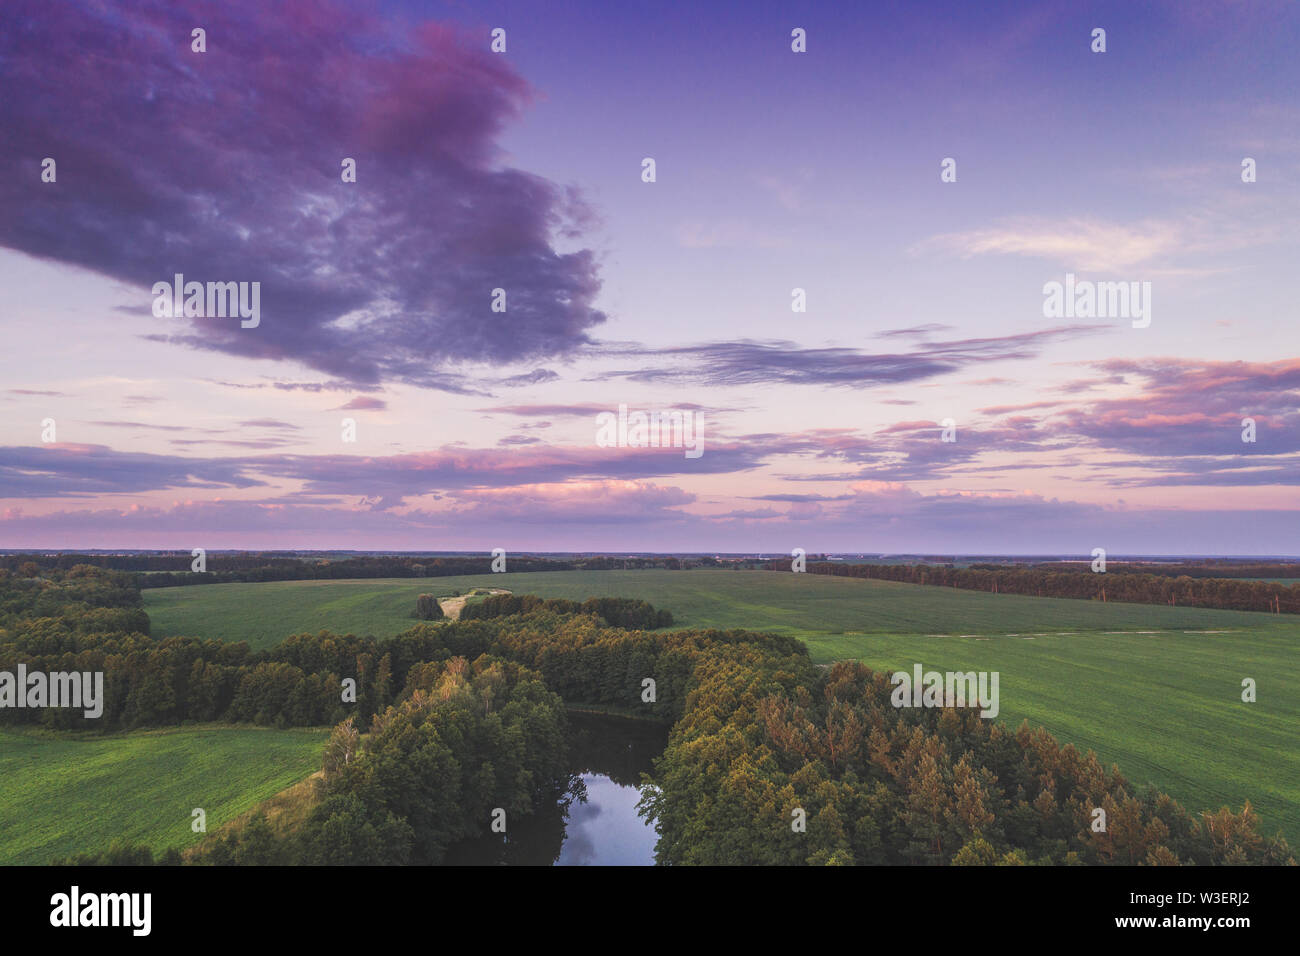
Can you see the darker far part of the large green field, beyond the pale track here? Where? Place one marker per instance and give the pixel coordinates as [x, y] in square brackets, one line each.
[799, 605]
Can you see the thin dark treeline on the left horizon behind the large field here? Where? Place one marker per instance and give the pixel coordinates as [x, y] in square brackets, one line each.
[172, 570]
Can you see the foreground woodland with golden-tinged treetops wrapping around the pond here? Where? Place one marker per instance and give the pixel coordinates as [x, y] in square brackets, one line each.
[772, 762]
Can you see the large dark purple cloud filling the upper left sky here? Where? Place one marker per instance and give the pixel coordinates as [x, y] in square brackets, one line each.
[226, 166]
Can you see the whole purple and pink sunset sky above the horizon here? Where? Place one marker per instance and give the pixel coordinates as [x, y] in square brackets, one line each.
[924, 400]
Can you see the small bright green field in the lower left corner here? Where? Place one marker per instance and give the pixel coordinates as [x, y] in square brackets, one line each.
[66, 795]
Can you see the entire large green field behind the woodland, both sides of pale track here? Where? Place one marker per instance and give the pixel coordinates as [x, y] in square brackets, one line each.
[1152, 689]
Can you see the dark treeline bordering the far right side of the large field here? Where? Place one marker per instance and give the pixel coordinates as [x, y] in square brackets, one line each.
[1080, 583]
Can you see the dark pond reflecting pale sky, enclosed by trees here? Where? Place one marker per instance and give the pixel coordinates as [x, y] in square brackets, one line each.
[596, 823]
